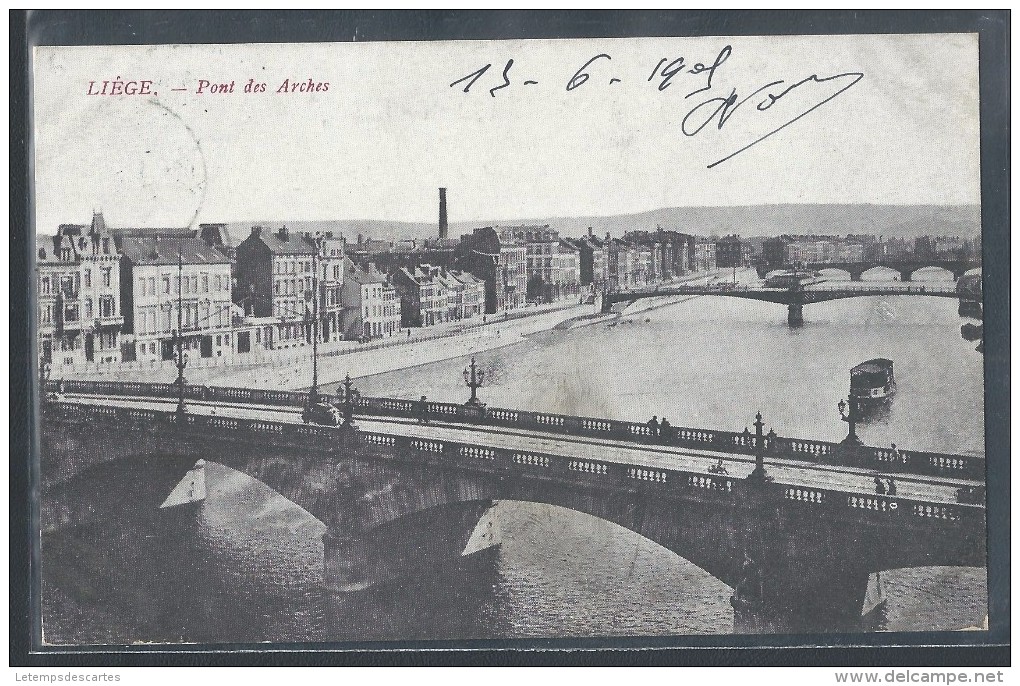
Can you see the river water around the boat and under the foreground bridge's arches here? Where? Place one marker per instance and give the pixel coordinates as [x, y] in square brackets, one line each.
[247, 567]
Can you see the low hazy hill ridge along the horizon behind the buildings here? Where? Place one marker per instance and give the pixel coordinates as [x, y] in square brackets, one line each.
[901, 222]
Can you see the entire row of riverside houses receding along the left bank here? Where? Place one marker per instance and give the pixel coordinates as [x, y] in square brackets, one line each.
[110, 295]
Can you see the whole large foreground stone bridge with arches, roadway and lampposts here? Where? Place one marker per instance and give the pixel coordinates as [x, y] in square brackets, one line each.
[797, 550]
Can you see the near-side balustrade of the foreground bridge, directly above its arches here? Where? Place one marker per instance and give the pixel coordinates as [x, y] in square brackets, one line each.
[674, 484]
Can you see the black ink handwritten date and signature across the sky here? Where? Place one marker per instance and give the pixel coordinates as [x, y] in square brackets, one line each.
[718, 109]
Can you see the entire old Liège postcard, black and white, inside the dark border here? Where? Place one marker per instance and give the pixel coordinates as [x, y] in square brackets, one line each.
[509, 340]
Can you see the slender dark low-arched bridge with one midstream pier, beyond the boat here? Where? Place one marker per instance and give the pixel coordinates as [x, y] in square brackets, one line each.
[795, 298]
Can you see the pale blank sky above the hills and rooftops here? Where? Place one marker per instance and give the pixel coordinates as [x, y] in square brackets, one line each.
[390, 129]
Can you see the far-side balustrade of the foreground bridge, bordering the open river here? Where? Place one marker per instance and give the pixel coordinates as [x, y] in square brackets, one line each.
[777, 448]
